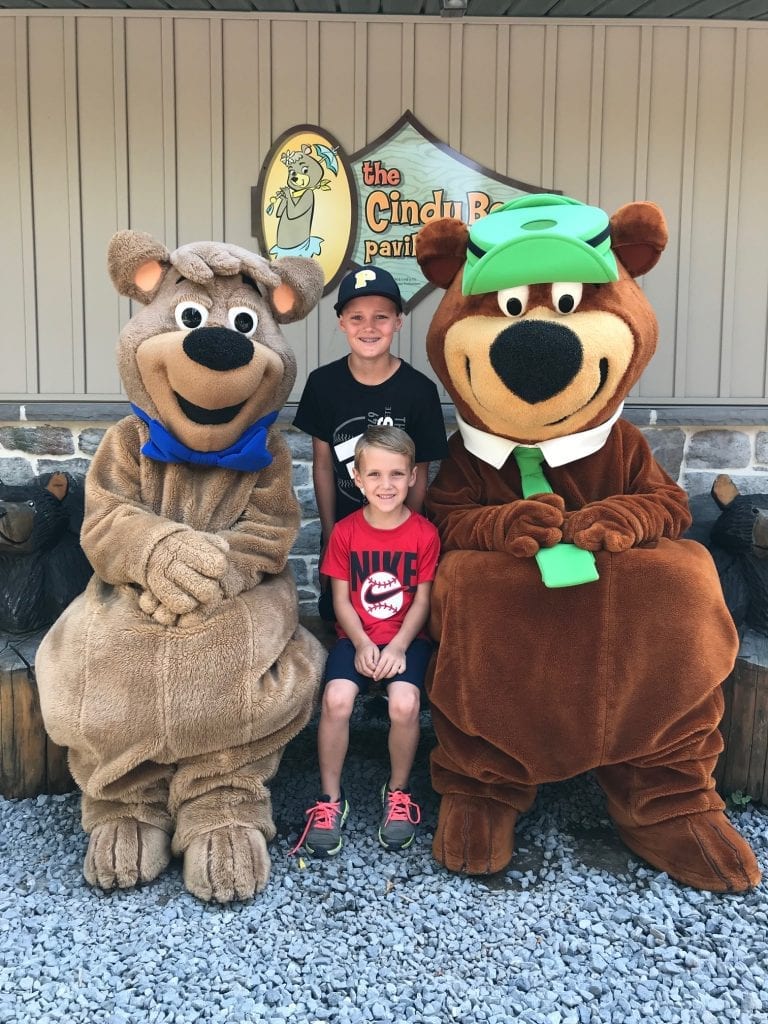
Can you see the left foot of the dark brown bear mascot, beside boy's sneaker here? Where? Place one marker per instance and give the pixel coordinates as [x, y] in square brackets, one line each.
[475, 836]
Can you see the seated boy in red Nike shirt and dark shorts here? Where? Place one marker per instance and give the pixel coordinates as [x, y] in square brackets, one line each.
[381, 562]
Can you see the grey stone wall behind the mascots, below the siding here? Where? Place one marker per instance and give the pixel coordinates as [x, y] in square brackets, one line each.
[693, 455]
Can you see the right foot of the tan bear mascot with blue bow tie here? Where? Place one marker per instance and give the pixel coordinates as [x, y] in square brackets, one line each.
[231, 864]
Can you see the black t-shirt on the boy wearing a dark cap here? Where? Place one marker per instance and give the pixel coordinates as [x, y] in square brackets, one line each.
[337, 409]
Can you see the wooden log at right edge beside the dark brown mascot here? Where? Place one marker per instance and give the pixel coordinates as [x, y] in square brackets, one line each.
[744, 764]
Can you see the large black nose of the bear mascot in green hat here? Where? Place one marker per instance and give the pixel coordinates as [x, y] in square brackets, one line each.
[537, 360]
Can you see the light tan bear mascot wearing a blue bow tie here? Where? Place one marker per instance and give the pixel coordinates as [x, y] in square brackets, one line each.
[181, 674]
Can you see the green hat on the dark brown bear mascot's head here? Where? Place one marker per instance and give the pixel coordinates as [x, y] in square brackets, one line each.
[536, 240]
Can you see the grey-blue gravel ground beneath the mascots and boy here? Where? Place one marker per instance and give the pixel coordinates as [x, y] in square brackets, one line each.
[577, 931]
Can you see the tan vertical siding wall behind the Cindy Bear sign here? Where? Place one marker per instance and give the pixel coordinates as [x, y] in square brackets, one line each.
[161, 122]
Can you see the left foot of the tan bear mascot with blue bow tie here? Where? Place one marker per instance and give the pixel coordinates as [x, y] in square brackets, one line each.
[126, 854]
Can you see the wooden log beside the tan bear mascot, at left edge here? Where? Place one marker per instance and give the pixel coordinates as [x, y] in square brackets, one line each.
[30, 762]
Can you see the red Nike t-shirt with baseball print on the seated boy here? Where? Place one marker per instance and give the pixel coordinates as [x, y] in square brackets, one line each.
[383, 569]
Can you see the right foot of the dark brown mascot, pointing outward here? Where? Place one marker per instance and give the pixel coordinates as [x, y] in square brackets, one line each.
[701, 850]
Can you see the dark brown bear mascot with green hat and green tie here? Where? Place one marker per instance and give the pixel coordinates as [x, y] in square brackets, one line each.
[576, 630]
